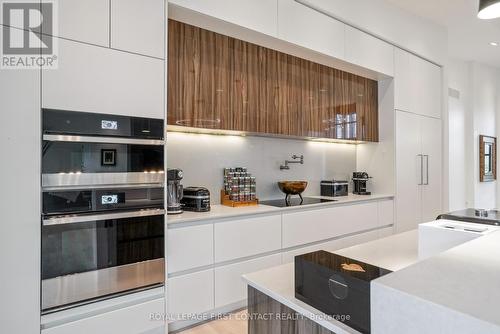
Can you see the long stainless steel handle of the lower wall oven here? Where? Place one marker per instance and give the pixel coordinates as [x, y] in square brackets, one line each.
[105, 216]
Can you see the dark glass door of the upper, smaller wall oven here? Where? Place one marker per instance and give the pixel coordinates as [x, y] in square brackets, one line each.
[67, 163]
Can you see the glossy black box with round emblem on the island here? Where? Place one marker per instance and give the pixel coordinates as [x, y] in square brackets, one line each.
[337, 285]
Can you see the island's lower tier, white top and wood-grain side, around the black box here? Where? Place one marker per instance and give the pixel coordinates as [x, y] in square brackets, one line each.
[273, 289]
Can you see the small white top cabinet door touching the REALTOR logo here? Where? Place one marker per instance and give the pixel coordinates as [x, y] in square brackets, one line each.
[84, 21]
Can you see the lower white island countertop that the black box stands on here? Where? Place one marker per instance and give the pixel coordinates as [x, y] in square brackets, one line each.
[394, 253]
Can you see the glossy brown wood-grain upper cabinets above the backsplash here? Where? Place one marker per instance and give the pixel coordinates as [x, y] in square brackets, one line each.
[220, 82]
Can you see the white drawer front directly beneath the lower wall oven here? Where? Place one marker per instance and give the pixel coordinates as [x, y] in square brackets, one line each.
[129, 320]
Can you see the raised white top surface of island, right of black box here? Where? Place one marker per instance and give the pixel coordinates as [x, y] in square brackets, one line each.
[465, 279]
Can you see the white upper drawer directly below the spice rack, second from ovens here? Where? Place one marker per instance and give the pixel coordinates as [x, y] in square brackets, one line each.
[246, 237]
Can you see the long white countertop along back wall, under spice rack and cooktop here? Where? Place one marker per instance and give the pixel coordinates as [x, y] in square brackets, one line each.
[220, 211]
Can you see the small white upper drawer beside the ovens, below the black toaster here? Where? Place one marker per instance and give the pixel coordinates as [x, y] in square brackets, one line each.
[190, 247]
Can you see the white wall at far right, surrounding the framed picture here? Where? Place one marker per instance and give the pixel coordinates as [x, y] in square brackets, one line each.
[475, 112]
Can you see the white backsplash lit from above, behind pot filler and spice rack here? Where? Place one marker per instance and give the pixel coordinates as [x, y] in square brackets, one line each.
[203, 157]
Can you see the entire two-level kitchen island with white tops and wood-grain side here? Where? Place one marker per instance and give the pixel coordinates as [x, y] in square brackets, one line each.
[454, 292]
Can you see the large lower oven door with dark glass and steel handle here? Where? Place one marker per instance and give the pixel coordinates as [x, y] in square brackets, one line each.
[87, 258]
